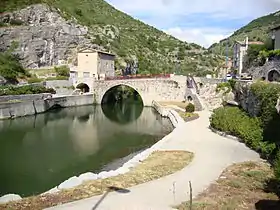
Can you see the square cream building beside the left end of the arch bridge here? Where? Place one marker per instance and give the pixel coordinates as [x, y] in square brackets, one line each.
[94, 64]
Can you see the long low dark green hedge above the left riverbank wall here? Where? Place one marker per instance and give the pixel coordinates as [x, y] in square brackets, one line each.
[21, 90]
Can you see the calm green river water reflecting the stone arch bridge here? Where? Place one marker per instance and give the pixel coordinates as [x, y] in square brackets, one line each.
[39, 152]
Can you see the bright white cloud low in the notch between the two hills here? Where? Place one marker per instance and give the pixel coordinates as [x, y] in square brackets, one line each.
[202, 36]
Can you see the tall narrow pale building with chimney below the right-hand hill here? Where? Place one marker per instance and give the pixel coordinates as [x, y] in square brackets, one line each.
[239, 51]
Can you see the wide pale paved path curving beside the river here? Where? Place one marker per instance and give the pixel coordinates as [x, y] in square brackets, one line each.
[213, 154]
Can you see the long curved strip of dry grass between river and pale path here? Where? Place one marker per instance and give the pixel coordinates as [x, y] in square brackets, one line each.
[157, 165]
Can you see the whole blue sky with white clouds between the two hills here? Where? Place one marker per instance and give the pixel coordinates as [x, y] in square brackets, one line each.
[203, 22]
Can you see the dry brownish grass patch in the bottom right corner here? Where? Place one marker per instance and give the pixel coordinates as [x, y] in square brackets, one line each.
[241, 186]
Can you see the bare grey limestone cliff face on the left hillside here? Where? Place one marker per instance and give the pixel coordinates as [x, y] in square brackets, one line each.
[44, 38]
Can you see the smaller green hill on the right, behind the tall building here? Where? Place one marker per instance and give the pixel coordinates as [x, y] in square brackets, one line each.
[256, 30]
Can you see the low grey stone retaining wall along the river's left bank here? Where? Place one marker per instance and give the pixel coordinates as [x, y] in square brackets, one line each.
[31, 107]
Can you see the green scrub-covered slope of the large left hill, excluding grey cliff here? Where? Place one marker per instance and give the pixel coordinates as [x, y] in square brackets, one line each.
[156, 51]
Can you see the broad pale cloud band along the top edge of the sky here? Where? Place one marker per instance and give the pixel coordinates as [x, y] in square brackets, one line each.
[229, 8]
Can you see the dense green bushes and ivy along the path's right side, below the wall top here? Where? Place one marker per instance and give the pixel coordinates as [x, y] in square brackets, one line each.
[259, 133]
